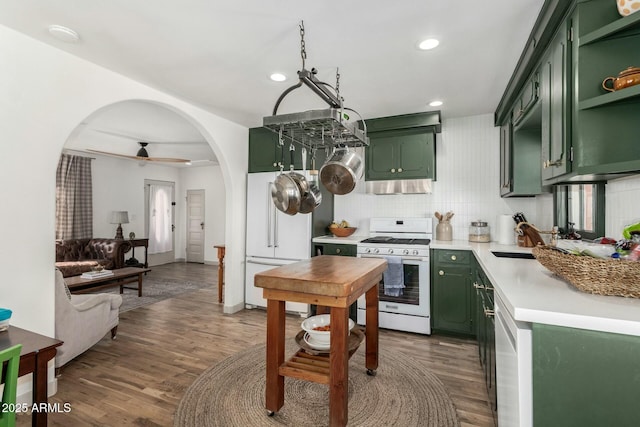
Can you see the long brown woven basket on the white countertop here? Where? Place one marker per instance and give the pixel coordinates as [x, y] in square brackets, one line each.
[593, 275]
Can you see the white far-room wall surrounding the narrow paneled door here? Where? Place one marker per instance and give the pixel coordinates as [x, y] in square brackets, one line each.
[209, 179]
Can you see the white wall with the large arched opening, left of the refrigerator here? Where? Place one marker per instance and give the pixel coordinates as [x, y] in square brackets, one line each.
[44, 94]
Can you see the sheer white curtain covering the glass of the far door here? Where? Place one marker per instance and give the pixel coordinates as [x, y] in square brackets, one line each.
[160, 221]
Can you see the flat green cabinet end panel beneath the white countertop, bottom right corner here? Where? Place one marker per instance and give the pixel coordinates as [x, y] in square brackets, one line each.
[585, 378]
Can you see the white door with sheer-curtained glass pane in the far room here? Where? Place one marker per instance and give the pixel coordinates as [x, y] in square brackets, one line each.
[159, 221]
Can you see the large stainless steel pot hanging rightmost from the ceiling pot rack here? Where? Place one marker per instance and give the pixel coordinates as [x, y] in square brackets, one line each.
[341, 171]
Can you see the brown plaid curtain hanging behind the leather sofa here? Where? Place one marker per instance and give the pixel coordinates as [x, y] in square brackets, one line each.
[74, 199]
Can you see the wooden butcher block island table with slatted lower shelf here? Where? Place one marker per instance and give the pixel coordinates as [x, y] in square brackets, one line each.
[333, 282]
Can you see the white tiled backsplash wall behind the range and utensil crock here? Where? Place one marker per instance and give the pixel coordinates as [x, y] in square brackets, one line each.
[468, 175]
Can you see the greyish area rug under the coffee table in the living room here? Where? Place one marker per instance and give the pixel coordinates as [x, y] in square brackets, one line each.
[154, 290]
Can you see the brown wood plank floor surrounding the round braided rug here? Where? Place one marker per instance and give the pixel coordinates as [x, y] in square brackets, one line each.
[139, 378]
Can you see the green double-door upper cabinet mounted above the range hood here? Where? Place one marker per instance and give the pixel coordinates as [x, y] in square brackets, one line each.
[402, 147]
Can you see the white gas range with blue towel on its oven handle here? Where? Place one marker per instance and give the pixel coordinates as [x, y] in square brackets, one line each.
[404, 302]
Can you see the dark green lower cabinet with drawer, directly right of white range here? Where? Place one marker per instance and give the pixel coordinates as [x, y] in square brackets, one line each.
[451, 293]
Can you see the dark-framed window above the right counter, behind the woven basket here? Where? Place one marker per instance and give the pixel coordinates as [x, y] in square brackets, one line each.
[582, 207]
